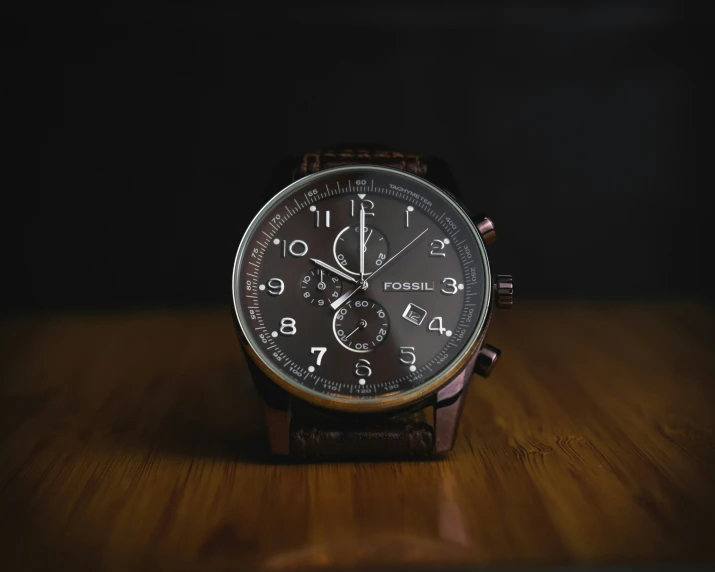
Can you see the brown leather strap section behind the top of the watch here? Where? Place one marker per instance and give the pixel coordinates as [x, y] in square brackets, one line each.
[313, 162]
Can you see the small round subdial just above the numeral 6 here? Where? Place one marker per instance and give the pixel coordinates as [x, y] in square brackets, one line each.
[361, 325]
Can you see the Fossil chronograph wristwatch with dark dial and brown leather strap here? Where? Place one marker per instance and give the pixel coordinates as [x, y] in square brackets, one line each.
[362, 293]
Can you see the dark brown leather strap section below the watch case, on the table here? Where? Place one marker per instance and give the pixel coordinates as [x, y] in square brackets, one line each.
[309, 441]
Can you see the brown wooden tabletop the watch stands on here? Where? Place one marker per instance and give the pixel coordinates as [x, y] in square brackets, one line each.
[133, 441]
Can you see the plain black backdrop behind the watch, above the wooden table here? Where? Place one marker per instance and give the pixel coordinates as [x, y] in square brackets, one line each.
[137, 141]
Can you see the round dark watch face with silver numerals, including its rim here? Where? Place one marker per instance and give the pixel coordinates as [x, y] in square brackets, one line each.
[361, 287]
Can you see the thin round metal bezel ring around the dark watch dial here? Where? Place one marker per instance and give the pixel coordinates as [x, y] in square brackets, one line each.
[402, 399]
